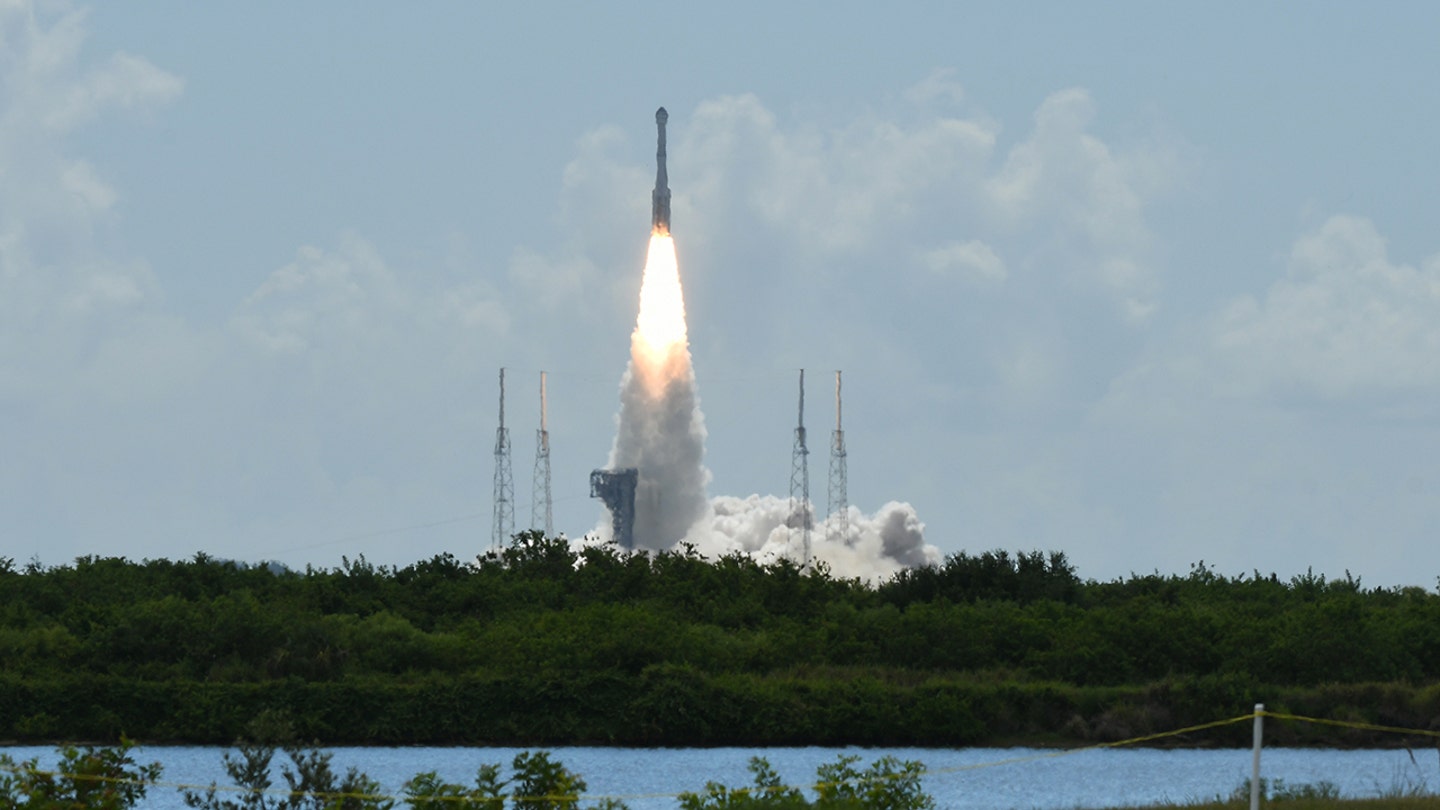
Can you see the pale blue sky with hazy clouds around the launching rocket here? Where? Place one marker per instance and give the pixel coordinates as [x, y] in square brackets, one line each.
[1153, 285]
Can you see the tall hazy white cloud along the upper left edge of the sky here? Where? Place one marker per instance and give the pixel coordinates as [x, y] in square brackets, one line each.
[63, 295]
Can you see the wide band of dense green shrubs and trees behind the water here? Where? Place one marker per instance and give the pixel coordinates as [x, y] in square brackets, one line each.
[544, 646]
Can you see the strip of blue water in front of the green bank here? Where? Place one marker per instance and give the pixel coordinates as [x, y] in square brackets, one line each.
[967, 779]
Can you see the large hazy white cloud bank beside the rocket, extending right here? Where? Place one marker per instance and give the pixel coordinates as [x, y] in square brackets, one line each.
[924, 184]
